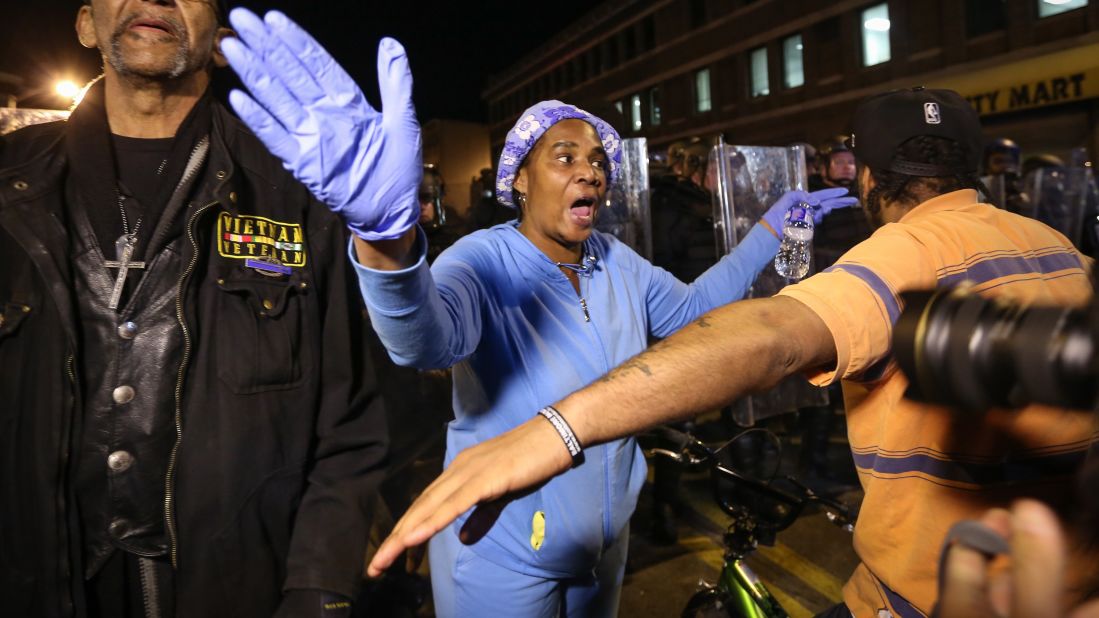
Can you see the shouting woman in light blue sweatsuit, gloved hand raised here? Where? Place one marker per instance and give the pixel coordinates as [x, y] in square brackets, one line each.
[526, 313]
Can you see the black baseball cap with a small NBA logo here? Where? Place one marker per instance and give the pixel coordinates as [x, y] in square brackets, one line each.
[886, 122]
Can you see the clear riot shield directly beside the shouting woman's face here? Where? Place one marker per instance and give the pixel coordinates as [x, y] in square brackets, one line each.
[626, 212]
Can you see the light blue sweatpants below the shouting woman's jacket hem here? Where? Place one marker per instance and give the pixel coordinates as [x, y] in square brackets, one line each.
[465, 586]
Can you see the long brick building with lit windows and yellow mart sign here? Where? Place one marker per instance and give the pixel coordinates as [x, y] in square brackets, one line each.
[775, 72]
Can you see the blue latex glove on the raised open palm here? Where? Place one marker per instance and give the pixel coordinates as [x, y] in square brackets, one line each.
[310, 114]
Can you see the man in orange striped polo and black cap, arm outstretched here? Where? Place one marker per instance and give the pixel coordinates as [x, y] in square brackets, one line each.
[924, 468]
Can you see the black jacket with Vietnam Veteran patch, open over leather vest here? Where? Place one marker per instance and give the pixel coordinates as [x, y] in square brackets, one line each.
[281, 435]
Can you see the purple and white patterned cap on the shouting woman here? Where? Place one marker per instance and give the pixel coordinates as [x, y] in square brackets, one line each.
[532, 125]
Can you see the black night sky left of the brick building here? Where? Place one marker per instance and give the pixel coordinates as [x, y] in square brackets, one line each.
[453, 47]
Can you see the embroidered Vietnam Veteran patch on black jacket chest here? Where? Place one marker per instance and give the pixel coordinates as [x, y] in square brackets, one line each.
[242, 237]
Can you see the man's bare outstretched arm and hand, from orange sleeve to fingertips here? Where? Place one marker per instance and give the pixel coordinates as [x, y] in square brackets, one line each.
[735, 350]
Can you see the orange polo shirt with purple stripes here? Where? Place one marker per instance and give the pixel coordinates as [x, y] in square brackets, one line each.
[925, 468]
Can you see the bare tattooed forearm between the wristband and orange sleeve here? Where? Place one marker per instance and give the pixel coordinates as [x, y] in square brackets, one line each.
[732, 351]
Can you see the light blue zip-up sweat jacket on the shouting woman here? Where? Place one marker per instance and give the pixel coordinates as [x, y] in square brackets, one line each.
[519, 338]
